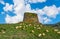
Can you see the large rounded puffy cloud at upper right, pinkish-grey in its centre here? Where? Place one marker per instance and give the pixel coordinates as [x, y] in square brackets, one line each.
[51, 11]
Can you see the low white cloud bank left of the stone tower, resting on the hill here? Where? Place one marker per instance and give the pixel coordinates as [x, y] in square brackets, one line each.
[14, 19]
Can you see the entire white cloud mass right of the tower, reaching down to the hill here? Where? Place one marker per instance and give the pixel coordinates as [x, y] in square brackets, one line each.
[49, 11]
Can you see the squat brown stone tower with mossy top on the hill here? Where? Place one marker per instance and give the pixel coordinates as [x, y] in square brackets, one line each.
[30, 18]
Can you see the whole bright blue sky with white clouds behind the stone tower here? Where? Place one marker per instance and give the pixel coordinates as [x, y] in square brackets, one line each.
[12, 11]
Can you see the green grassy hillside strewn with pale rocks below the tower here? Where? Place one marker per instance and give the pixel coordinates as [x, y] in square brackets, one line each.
[28, 31]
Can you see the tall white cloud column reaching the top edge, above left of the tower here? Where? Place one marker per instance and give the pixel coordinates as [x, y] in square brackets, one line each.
[19, 6]
